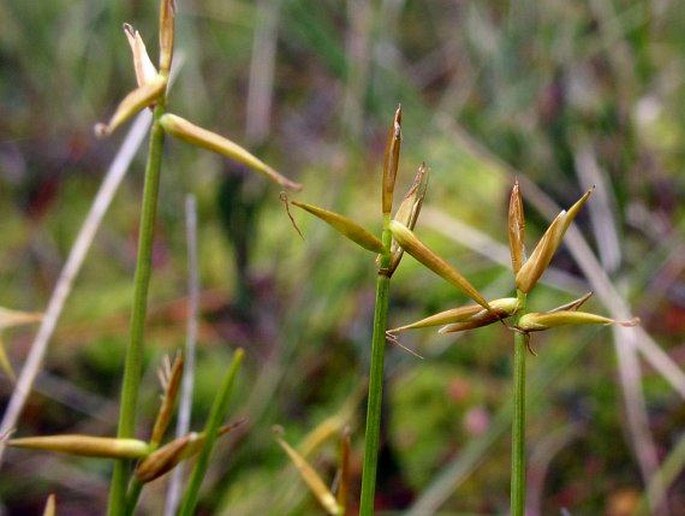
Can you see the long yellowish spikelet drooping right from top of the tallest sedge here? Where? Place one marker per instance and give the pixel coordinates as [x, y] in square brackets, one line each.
[191, 133]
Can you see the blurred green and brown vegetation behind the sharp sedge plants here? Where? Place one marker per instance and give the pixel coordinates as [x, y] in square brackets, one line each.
[566, 94]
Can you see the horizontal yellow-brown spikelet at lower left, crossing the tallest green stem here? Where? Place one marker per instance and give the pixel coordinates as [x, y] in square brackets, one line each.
[85, 445]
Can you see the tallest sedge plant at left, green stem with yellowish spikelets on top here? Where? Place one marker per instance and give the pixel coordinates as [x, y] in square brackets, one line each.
[152, 93]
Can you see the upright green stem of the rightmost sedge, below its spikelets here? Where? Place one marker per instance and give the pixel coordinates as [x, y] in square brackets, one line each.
[518, 426]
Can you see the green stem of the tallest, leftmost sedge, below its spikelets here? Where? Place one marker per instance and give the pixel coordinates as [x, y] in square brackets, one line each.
[134, 353]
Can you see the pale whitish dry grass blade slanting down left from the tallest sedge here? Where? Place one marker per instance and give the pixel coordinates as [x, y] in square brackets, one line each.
[77, 255]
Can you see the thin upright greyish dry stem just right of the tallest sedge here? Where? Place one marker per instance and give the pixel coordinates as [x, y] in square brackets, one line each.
[185, 403]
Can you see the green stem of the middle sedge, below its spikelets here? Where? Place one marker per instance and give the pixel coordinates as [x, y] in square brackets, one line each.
[373, 410]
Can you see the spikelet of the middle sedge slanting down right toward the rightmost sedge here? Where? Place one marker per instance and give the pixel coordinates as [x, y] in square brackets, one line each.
[406, 238]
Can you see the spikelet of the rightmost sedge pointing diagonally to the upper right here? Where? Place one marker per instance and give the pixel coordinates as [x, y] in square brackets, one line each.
[539, 260]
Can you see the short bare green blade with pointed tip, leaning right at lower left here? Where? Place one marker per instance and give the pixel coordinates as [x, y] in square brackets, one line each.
[216, 416]
